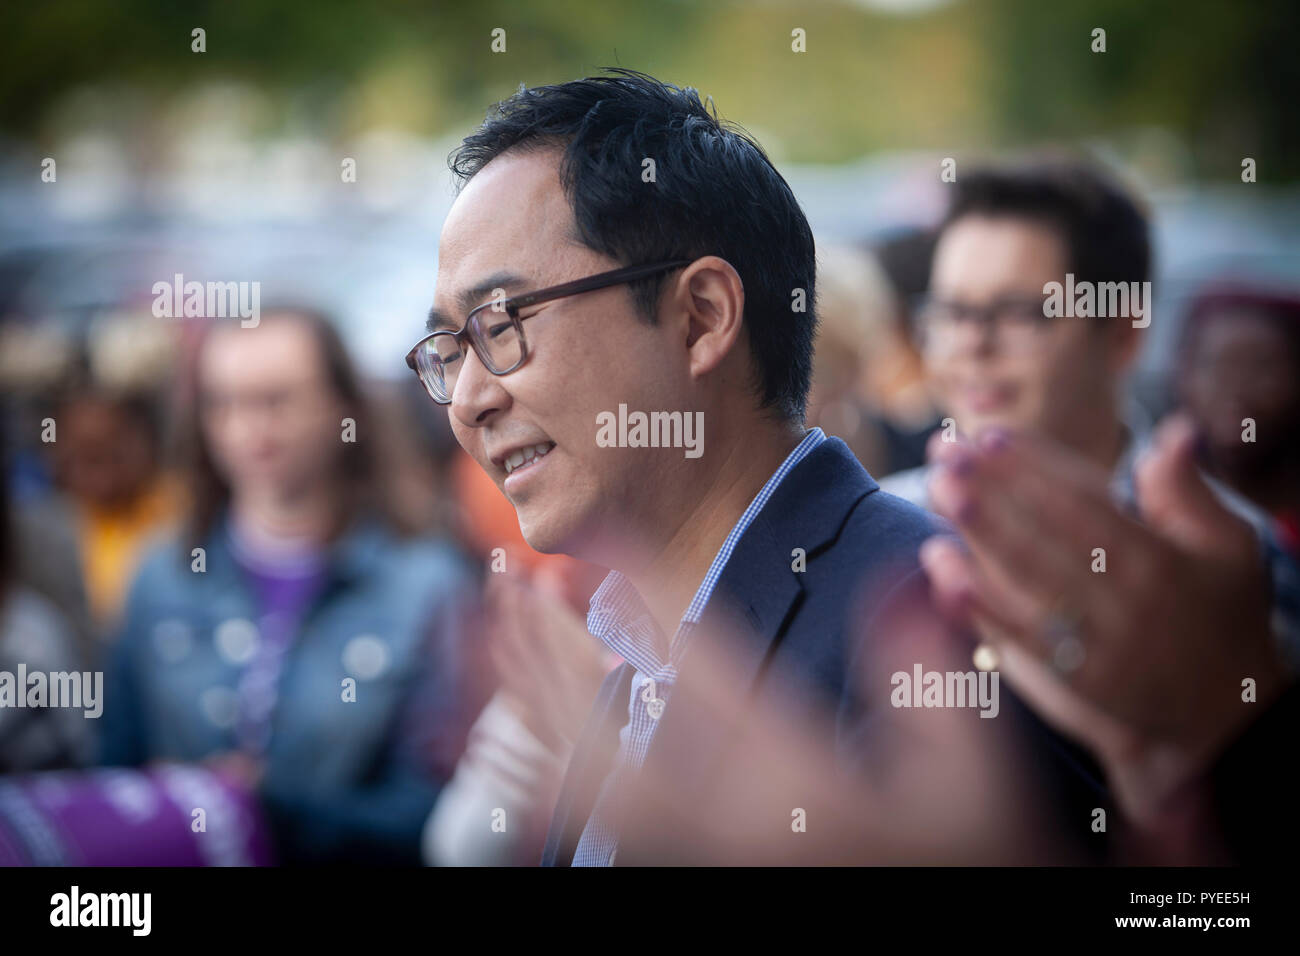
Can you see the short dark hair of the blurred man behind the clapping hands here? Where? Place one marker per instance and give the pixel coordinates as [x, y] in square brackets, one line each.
[1107, 236]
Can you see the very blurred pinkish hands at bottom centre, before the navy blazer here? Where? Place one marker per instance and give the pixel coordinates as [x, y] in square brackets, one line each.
[943, 786]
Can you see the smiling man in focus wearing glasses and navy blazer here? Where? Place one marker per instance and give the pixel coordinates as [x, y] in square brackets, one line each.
[616, 245]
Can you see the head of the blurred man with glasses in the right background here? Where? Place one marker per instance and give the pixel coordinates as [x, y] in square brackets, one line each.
[994, 354]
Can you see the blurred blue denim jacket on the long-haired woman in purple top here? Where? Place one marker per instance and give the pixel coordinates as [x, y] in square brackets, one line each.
[345, 780]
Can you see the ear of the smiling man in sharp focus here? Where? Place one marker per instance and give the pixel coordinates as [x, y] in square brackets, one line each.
[709, 302]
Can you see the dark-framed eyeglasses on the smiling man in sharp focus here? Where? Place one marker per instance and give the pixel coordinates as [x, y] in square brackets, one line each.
[496, 332]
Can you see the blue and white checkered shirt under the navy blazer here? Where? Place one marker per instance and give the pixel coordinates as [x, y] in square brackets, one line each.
[622, 621]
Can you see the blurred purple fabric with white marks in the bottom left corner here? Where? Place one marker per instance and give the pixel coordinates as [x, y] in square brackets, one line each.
[118, 817]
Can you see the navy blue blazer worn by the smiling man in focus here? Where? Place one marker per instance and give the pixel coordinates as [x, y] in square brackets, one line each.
[801, 629]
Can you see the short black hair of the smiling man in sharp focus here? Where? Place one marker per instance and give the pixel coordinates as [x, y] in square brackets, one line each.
[716, 193]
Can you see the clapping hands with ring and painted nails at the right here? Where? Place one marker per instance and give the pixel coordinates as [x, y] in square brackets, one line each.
[1138, 639]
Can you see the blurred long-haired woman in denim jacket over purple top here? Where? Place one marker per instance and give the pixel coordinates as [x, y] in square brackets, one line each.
[294, 638]
